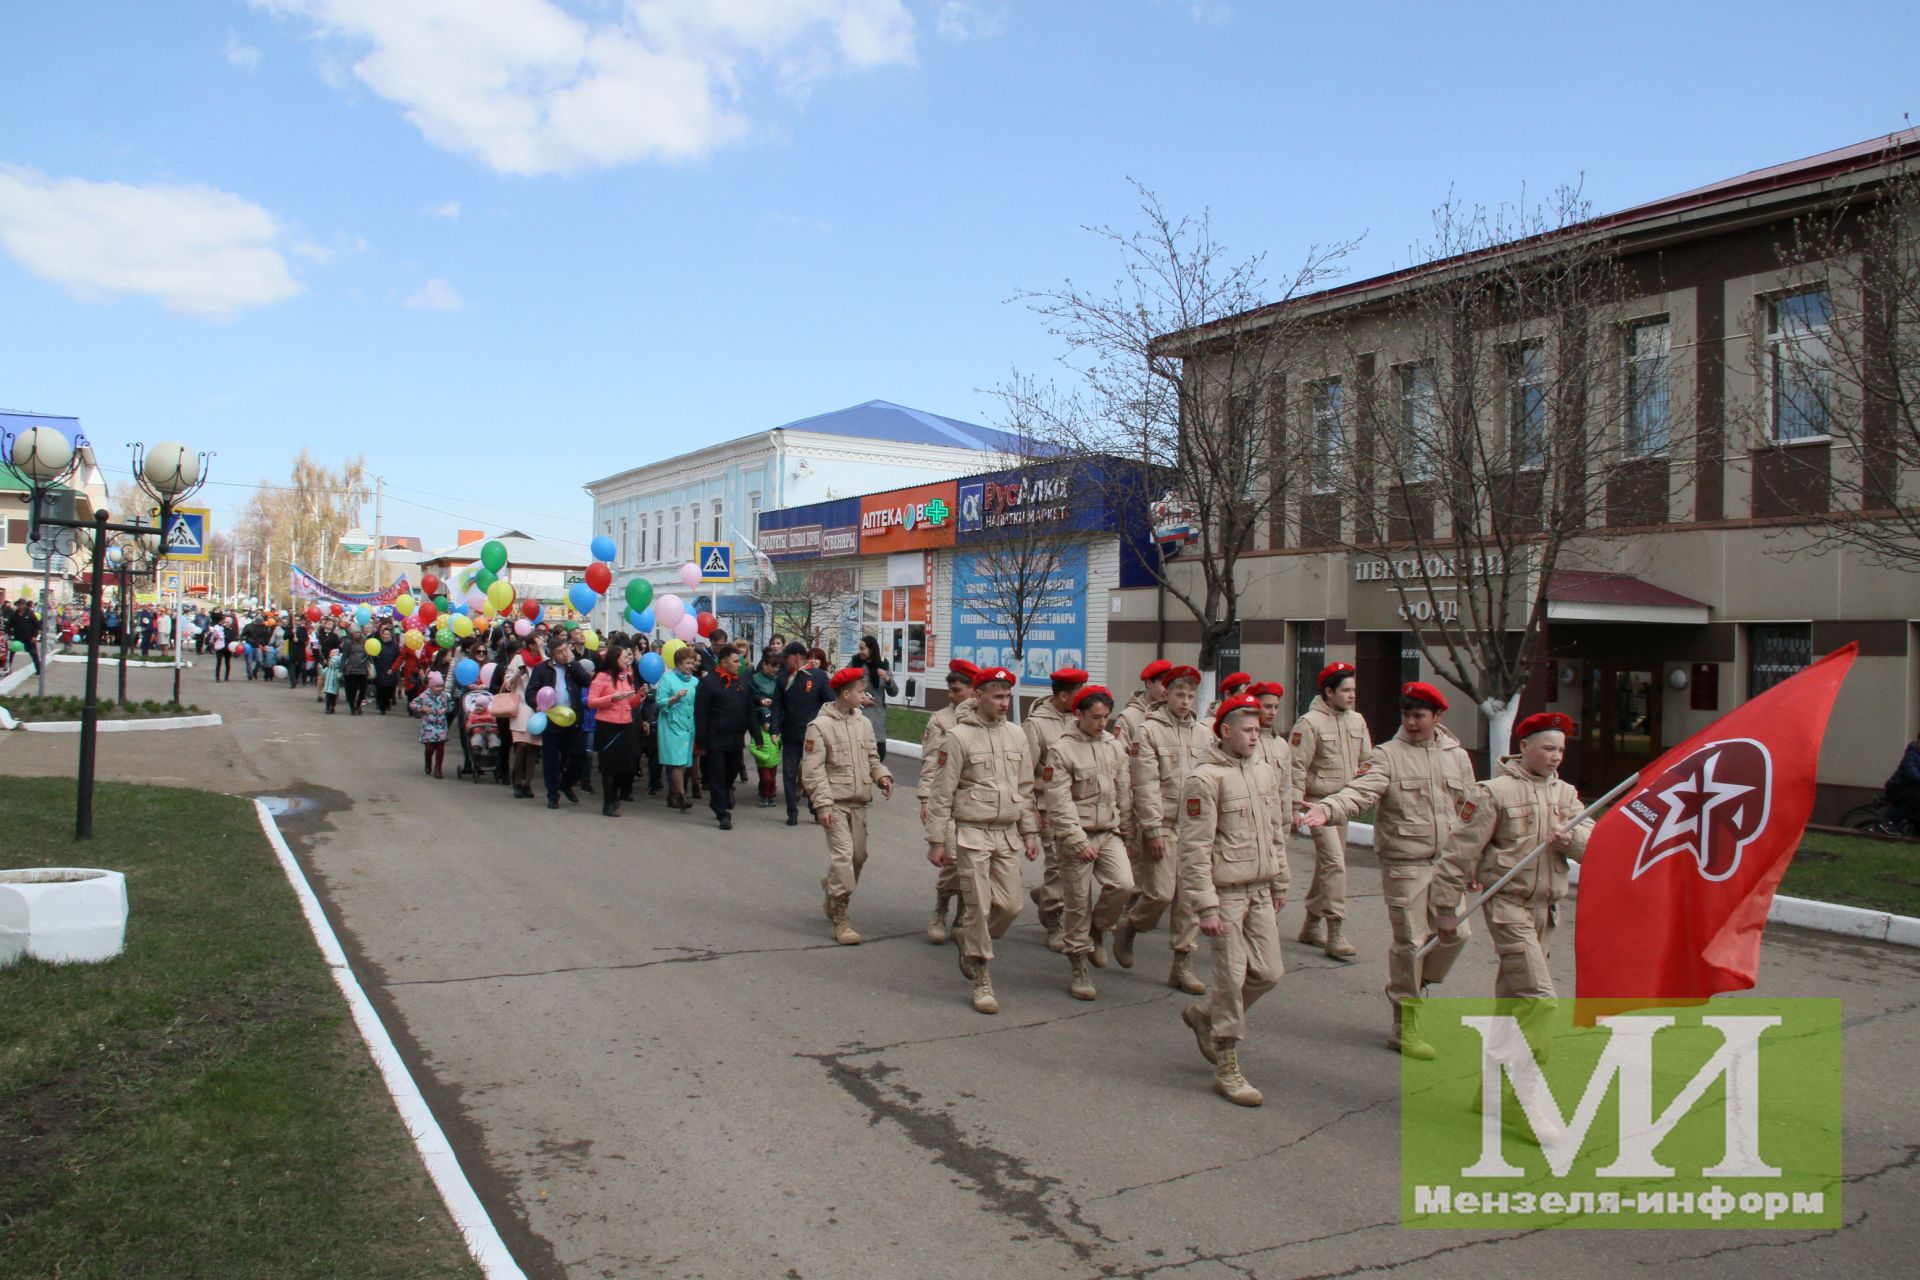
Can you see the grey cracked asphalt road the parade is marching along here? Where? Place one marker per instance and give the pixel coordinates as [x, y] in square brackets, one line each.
[656, 1062]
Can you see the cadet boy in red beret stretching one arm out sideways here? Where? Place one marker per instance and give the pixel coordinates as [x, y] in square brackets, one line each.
[1420, 782]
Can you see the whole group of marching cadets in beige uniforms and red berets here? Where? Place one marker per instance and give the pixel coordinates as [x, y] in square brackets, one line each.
[1159, 813]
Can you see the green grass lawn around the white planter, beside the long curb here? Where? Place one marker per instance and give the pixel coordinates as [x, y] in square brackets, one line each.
[201, 1106]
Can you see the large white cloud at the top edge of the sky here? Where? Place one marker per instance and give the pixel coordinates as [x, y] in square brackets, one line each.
[529, 89]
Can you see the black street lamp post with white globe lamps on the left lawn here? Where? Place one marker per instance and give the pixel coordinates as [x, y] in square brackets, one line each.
[43, 460]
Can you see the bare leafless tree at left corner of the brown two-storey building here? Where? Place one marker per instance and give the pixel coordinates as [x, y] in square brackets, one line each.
[1138, 352]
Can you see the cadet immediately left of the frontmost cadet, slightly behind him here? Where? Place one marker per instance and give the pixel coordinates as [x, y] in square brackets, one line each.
[1163, 759]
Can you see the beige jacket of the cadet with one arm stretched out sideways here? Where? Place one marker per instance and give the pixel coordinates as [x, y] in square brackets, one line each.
[1420, 790]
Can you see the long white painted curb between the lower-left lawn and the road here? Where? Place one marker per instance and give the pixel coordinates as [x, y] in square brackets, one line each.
[469, 1216]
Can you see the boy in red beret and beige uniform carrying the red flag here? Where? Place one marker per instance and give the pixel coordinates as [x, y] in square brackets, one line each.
[1502, 822]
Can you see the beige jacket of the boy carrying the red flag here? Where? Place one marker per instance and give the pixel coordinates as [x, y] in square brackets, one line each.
[1500, 824]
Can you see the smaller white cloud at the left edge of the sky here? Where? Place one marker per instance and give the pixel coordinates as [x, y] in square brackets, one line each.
[197, 250]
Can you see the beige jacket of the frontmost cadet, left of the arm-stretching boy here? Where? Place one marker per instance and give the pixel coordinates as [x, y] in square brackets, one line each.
[1232, 828]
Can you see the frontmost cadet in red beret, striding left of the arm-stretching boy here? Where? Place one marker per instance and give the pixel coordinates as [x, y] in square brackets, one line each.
[1234, 880]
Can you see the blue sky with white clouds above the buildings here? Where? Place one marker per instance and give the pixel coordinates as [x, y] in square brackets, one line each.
[508, 247]
